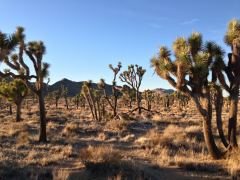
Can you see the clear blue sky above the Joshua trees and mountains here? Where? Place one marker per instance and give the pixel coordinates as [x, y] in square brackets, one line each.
[84, 36]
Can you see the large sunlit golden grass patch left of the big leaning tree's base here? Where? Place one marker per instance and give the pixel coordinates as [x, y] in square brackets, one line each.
[173, 145]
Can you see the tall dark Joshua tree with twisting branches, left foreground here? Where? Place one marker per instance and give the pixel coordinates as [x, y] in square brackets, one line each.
[33, 51]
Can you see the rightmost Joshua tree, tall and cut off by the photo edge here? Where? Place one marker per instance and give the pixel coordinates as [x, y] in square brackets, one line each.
[232, 71]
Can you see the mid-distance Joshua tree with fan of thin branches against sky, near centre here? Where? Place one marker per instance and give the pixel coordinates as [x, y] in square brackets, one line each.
[133, 77]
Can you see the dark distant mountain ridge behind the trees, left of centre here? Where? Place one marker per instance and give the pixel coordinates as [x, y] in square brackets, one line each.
[73, 87]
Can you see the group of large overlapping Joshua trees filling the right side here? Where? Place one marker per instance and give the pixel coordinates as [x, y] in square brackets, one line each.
[198, 70]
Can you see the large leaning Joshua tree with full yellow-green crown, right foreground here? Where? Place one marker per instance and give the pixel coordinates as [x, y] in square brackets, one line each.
[191, 68]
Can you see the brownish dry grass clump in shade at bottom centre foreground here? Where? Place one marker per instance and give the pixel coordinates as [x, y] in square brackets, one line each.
[104, 162]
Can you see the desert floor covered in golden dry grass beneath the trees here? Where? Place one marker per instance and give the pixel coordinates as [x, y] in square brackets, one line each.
[164, 145]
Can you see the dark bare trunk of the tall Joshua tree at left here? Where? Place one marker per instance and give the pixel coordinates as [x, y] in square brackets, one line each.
[43, 133]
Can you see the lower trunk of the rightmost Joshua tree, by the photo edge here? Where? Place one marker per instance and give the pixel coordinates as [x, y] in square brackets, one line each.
[232, 124]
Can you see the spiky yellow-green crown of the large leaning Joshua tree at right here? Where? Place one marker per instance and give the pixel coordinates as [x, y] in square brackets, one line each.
[193, 61]
